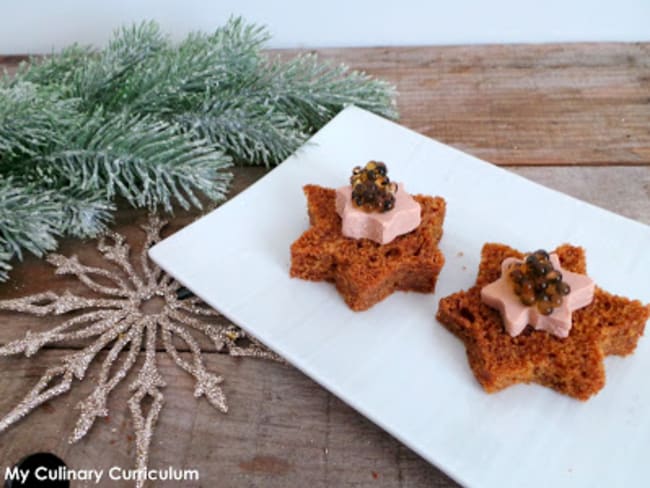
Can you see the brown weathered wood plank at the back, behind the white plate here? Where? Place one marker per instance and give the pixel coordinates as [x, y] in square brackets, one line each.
[582, 104]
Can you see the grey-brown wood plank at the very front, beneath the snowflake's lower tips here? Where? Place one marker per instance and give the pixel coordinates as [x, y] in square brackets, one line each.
[282, 430]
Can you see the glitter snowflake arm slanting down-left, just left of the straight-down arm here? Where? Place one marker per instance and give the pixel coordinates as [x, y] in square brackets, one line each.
[95, 404]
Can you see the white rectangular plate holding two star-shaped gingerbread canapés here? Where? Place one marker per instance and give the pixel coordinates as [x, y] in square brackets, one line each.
[394, 363]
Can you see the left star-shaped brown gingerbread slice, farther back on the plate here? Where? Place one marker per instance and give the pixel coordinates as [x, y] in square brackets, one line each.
[363, 271]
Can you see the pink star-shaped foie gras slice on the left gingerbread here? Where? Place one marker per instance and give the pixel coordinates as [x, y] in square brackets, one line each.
[381, 227]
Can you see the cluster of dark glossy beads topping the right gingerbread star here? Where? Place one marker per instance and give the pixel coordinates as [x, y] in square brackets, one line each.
[536, 281]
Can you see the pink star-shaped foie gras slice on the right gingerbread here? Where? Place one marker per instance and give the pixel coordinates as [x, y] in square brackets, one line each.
[516, 315]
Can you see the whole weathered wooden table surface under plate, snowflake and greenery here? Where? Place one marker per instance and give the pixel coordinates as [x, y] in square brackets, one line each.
[574, 117]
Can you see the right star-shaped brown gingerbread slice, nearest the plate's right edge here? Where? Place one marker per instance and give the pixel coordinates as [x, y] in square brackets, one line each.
[573, 365]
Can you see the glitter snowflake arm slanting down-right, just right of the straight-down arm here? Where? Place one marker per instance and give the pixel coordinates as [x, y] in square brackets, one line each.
[206, 383]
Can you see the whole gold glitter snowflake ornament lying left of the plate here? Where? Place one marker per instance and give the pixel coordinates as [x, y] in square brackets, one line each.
[116, 320]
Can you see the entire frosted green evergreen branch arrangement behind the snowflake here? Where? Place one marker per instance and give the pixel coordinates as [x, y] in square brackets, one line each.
[155, 123]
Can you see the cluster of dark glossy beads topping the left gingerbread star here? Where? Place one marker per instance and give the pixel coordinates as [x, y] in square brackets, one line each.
[372, 190]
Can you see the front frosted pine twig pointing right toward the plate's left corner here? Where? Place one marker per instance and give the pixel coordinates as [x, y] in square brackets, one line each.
[145, 161]
